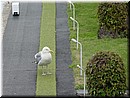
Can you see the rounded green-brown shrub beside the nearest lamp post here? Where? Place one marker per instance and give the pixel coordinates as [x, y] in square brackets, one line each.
[105, 75]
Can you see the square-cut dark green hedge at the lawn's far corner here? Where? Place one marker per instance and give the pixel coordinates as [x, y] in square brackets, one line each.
[113, 20]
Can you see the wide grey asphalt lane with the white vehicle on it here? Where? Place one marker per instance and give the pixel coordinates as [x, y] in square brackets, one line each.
[20, 43]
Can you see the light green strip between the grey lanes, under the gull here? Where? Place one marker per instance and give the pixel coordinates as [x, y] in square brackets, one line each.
[46, 85]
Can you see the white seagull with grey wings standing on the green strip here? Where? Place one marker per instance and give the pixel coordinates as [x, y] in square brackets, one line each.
[43, 58]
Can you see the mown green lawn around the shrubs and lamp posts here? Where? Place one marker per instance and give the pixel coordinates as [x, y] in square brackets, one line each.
[86, 15]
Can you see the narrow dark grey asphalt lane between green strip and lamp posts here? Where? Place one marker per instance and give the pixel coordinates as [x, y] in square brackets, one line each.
[64, 74]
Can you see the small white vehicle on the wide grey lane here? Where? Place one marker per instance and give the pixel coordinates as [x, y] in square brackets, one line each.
[15, 8]
